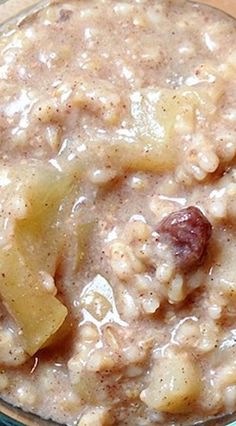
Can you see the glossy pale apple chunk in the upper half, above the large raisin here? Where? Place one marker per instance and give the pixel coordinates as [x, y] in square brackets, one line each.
[147, 144]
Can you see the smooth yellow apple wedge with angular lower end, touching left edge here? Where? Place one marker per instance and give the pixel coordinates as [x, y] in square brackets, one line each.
[38, 314]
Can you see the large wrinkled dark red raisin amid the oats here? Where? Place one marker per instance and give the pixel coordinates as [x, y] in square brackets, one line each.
[188, 232]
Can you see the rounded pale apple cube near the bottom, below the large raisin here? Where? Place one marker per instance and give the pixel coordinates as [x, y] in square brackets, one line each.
[175, 385]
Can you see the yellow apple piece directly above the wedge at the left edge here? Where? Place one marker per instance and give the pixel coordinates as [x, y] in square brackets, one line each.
[37, 236]
